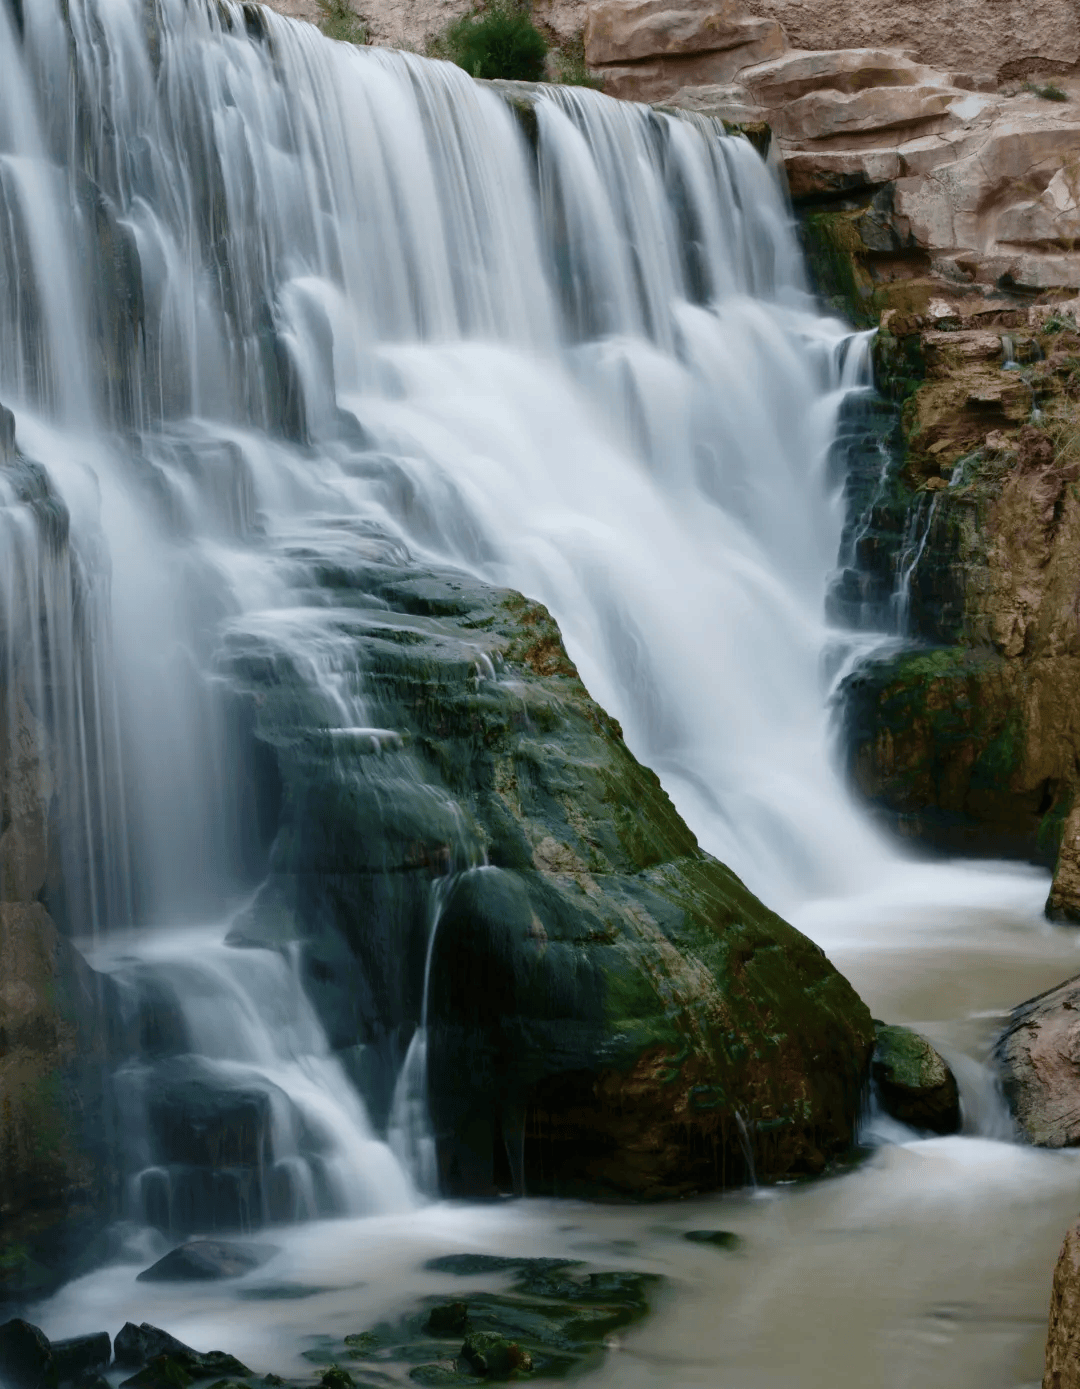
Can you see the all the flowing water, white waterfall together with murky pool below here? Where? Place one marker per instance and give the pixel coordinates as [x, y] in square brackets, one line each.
[270, 302]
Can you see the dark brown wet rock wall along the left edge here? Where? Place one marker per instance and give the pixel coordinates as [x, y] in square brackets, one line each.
[58, 1180]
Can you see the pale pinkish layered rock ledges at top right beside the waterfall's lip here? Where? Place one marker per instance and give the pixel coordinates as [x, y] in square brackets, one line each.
[928, 176]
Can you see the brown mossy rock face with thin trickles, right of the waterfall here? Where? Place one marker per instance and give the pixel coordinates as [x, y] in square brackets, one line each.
[971, 738]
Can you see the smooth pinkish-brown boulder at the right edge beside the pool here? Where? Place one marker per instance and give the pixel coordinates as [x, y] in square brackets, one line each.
[1039, 1055]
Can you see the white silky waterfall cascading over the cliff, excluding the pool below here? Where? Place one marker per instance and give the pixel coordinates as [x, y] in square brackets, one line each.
[263, 297]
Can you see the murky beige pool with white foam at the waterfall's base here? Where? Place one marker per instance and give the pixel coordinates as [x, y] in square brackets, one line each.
[928, 1263]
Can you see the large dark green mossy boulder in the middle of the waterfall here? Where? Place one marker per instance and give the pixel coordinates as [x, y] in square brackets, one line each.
[609, 1005]
